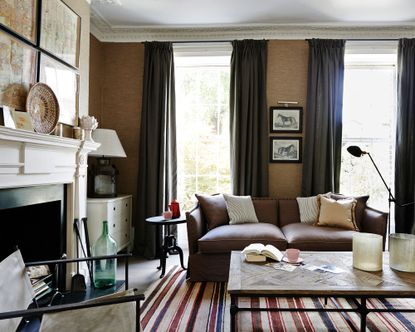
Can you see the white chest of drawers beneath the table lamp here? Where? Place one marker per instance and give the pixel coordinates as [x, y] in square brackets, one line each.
[117, 211]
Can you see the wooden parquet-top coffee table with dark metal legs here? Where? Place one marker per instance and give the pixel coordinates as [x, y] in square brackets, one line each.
[261, 280]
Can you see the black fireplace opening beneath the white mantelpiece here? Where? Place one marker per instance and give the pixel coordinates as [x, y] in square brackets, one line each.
[33, 219]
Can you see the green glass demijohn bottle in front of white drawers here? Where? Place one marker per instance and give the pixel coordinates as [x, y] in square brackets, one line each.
[105, 269]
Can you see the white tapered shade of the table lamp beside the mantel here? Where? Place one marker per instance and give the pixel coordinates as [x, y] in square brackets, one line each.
[110, 144]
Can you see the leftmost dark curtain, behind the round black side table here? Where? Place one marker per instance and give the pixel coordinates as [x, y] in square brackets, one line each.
[157, 174]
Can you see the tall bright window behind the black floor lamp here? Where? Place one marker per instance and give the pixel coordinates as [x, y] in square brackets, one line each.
[369, 111]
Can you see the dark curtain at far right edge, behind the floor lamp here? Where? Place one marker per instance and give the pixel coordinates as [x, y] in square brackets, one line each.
[405, 138]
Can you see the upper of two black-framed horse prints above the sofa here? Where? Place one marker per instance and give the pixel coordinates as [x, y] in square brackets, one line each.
[286, 119]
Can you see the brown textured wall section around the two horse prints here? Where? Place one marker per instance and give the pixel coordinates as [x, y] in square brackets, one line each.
[287, 81]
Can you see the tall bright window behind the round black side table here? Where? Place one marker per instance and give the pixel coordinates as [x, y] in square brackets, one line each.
[202, 74]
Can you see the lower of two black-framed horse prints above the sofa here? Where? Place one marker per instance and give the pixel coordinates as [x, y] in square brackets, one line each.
[285, 149]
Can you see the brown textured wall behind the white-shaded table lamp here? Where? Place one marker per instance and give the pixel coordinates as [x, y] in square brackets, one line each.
[116, 74]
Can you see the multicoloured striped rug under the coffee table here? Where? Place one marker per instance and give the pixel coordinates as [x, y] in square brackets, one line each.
[175, 304]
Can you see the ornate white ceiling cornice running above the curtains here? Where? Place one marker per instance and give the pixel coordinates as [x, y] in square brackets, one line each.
[104, 32]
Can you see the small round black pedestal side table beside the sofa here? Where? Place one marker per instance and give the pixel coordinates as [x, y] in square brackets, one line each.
[169, 242]
